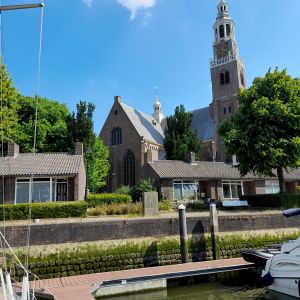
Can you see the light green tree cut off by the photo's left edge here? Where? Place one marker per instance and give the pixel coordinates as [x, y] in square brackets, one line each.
[9, 105]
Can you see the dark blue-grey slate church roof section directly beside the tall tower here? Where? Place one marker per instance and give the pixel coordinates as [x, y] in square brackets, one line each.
[204, 124]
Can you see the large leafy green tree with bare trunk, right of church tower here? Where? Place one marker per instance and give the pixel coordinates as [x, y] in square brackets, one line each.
[264, 132]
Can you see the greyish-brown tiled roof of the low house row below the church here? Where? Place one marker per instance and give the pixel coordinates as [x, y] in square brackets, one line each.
[174, 169]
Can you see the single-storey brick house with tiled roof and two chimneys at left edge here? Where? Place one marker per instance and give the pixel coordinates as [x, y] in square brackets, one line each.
[42, 177]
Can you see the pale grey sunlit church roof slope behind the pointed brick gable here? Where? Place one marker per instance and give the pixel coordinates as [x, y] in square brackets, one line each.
[145, 125]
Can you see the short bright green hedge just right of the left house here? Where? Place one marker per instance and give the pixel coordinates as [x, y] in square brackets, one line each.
[94, 200]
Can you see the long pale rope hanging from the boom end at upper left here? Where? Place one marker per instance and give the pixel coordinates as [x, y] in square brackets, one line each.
[35, 134]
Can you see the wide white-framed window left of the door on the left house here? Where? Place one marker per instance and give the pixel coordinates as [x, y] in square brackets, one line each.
[34, 190]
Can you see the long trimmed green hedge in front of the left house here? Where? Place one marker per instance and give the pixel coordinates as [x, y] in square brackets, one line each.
[43, 210]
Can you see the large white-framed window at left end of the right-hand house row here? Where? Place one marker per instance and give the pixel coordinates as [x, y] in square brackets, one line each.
[185, 190]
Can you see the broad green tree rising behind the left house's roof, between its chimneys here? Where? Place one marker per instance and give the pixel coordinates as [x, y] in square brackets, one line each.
[51, 125]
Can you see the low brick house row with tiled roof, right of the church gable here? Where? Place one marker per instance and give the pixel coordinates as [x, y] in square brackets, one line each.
[194, 180]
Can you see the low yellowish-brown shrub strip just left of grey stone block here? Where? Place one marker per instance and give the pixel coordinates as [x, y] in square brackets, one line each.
[116, 209]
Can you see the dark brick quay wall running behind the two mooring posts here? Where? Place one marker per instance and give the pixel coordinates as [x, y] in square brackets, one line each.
[89, 230]
